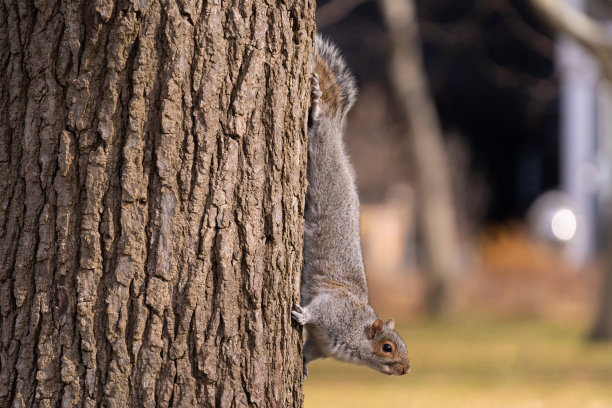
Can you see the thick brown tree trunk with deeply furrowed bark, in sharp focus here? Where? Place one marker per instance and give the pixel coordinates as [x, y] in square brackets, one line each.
[153, 161]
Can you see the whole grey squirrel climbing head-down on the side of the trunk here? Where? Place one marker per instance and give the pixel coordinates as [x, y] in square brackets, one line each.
[335, 308]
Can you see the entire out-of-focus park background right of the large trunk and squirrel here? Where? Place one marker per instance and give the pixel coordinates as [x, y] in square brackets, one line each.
[482, 144]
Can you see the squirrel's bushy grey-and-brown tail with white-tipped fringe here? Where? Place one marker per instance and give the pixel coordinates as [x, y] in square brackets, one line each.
[336, 82]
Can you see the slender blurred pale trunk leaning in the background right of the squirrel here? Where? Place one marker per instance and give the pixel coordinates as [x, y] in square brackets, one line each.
[436, 218]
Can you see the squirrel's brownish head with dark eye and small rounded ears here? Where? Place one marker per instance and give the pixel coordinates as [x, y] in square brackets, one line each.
[389, 354]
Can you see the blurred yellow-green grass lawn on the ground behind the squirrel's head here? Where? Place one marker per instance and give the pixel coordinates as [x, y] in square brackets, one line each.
[476, 363]
